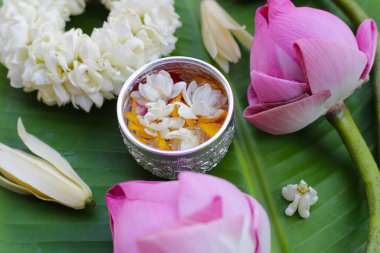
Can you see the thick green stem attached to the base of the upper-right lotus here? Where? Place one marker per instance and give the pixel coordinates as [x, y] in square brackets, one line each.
[341, 119]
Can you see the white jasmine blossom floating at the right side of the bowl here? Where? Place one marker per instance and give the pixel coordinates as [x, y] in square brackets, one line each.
[201, 101]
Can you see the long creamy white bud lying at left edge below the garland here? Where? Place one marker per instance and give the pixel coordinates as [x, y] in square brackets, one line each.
[46, 175]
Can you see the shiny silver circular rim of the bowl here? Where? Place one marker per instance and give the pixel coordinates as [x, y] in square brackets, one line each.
[189, 60]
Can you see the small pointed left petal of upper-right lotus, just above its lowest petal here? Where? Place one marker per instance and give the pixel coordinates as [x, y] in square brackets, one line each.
[270, 89]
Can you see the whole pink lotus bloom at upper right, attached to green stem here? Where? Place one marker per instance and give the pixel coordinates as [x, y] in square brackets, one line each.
[304, 61]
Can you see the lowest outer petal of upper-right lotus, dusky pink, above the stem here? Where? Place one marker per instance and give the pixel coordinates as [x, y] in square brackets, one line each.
[290, 117]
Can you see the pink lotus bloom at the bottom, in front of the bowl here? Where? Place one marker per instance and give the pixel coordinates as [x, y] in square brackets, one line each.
[196, 214]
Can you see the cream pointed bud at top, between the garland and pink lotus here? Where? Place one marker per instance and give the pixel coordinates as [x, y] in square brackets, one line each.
[217, 26]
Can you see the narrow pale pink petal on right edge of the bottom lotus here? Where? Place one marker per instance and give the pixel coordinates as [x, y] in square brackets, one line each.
[260, 228]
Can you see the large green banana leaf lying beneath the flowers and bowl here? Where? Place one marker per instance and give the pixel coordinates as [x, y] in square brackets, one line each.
[258, 163]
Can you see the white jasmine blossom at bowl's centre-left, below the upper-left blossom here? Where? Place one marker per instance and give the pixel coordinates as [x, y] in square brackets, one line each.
[157, 118]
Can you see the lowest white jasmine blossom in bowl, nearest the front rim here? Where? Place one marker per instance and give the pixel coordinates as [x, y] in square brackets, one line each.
[188, 138]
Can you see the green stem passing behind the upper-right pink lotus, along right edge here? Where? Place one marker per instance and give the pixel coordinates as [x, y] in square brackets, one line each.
[356, 13]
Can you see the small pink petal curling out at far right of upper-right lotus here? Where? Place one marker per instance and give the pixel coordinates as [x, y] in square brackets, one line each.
[367, 41]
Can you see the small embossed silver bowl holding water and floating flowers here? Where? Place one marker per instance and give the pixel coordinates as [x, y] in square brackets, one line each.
[201, 158]
